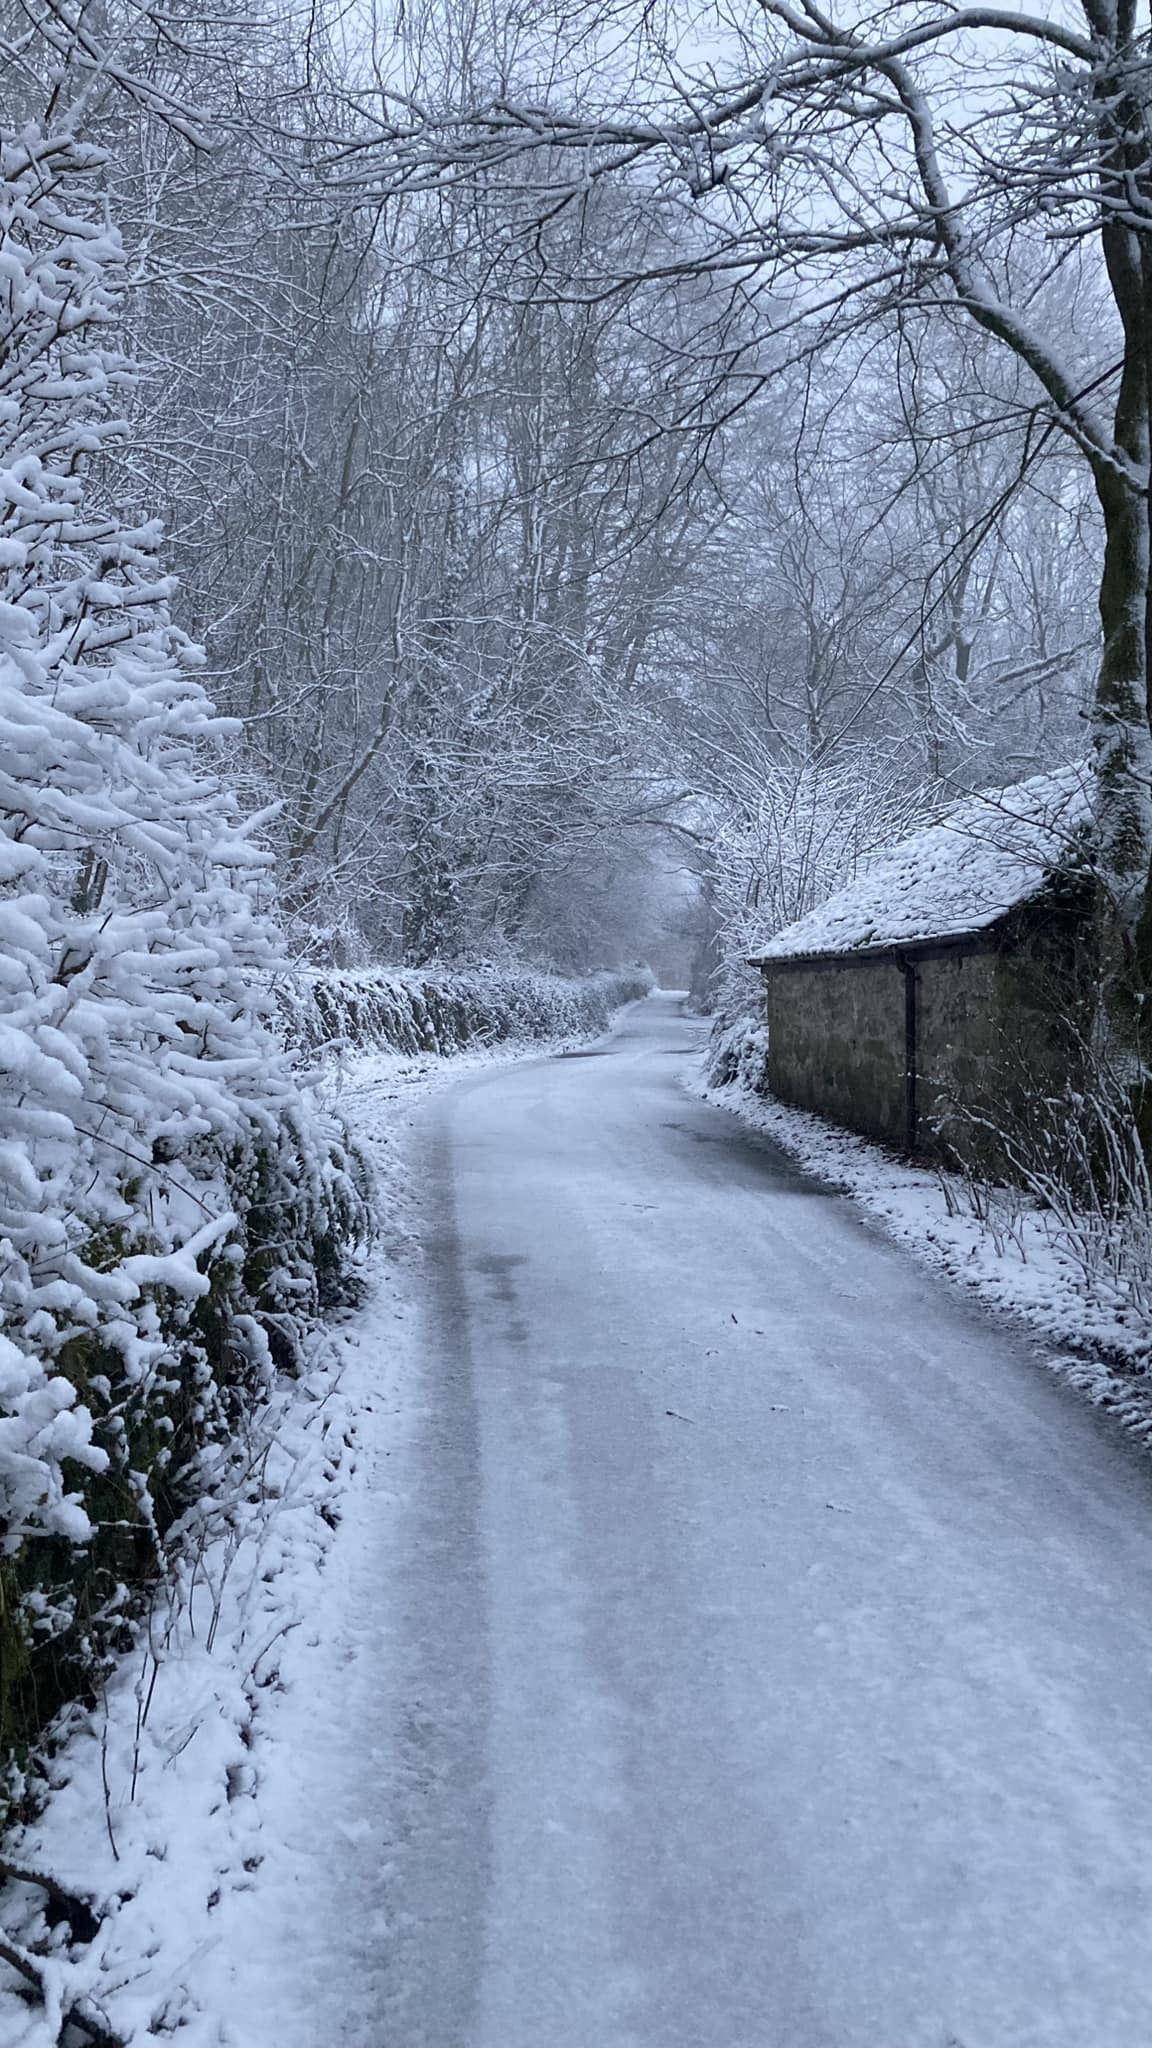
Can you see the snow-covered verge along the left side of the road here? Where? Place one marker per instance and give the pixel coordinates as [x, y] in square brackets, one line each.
[171, 1799]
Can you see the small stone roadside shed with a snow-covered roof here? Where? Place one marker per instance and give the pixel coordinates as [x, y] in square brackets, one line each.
[946, 988]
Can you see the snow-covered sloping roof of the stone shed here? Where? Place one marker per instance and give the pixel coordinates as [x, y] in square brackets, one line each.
[950, 880]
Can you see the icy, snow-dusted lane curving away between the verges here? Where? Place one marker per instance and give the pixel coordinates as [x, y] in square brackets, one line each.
[772, 1656]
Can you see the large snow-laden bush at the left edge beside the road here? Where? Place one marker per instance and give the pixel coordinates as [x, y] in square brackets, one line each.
[169, 1205]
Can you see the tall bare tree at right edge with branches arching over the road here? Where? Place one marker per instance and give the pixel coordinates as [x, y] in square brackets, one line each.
[846, 171]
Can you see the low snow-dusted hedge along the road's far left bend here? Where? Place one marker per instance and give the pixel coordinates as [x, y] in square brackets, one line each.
[448, 1009]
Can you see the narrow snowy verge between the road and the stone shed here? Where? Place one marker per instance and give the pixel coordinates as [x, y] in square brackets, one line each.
[995, 1242]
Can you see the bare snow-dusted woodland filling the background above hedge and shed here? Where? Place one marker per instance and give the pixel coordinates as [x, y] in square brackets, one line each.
[540, 476]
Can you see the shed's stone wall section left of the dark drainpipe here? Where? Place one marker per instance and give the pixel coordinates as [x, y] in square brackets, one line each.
[837, 1043]
